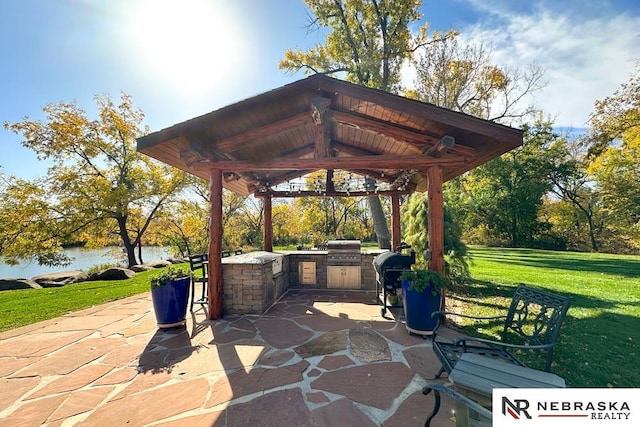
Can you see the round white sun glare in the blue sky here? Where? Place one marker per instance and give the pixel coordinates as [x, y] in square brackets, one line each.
[188, 44]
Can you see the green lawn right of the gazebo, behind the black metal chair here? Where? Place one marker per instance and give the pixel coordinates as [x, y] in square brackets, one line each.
[600, 338]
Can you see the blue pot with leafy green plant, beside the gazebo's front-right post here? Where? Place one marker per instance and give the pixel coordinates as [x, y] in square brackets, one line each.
[421, 296]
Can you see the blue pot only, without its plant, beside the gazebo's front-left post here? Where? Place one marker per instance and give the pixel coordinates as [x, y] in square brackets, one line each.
[170, 302]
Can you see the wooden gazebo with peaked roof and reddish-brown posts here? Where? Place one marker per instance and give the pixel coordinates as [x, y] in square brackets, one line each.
[320, 123]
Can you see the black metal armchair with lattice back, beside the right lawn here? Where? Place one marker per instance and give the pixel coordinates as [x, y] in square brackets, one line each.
[531, 324]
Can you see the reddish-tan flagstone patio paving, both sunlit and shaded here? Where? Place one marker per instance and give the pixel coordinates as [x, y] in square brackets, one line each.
[316, 358]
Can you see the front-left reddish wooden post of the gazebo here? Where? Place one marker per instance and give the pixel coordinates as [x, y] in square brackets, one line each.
[215, 246]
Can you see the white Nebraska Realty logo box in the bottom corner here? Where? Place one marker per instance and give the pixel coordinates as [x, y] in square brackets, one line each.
[566, 407]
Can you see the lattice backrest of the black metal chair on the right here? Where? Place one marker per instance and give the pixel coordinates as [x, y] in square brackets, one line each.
[535, 316]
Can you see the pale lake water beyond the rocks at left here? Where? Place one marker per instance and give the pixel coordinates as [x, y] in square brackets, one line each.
[83, 259]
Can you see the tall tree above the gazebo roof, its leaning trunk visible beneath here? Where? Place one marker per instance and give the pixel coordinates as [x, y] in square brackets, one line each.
[368, 43]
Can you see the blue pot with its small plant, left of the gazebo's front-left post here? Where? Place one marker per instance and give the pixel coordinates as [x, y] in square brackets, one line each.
[170, 294]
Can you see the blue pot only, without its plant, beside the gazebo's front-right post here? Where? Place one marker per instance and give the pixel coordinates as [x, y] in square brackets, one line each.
[418, 307]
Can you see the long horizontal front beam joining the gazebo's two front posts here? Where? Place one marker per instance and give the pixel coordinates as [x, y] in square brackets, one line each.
[347, 162]
